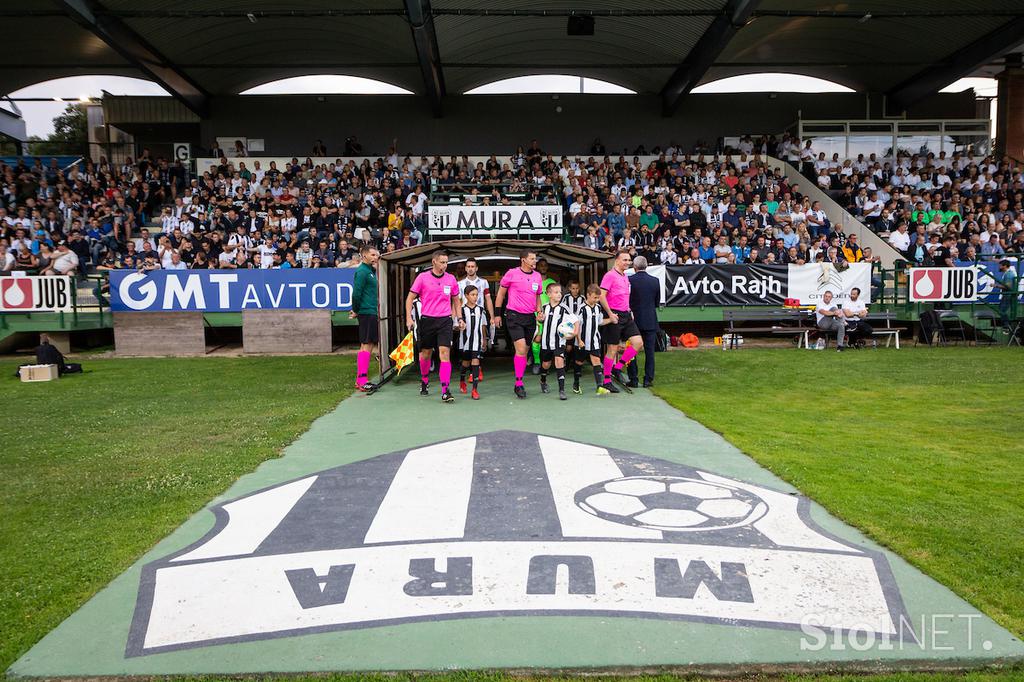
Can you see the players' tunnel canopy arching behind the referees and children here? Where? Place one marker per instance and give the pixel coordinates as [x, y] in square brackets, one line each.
[399, 270]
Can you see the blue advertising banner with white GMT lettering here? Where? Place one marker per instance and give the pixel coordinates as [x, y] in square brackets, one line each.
[232, 291]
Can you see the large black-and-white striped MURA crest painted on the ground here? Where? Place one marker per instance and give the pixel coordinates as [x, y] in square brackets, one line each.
[507, 524]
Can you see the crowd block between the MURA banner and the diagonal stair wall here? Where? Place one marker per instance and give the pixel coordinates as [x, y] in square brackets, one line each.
[685, 210]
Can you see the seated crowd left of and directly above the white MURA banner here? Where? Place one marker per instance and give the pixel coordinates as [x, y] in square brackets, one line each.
[302, 216]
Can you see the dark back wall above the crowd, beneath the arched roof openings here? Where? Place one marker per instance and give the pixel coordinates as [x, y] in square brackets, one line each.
[486, 124]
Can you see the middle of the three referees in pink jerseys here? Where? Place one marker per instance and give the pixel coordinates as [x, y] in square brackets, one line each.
[523, 287]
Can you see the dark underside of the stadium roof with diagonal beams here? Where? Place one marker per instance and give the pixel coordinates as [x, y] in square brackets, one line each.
[198, 49]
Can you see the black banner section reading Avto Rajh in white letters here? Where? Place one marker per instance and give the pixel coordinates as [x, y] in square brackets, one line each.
[727, 285]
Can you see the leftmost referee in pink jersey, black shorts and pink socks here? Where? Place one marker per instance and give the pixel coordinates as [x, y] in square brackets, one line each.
[440, 314]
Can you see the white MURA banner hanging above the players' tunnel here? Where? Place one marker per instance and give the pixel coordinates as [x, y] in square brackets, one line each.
[495, 220]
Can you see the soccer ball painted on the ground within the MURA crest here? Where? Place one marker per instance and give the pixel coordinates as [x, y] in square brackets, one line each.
[671, 503]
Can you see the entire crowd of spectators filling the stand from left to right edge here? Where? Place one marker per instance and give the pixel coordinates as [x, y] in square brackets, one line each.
[678, 209]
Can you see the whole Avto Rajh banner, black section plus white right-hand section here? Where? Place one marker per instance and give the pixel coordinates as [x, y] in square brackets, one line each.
[763, 285]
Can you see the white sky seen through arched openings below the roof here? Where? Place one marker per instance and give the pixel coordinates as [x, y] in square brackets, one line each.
[39, 116]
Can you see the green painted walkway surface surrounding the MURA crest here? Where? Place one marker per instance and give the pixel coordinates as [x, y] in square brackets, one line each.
[93, 642]
